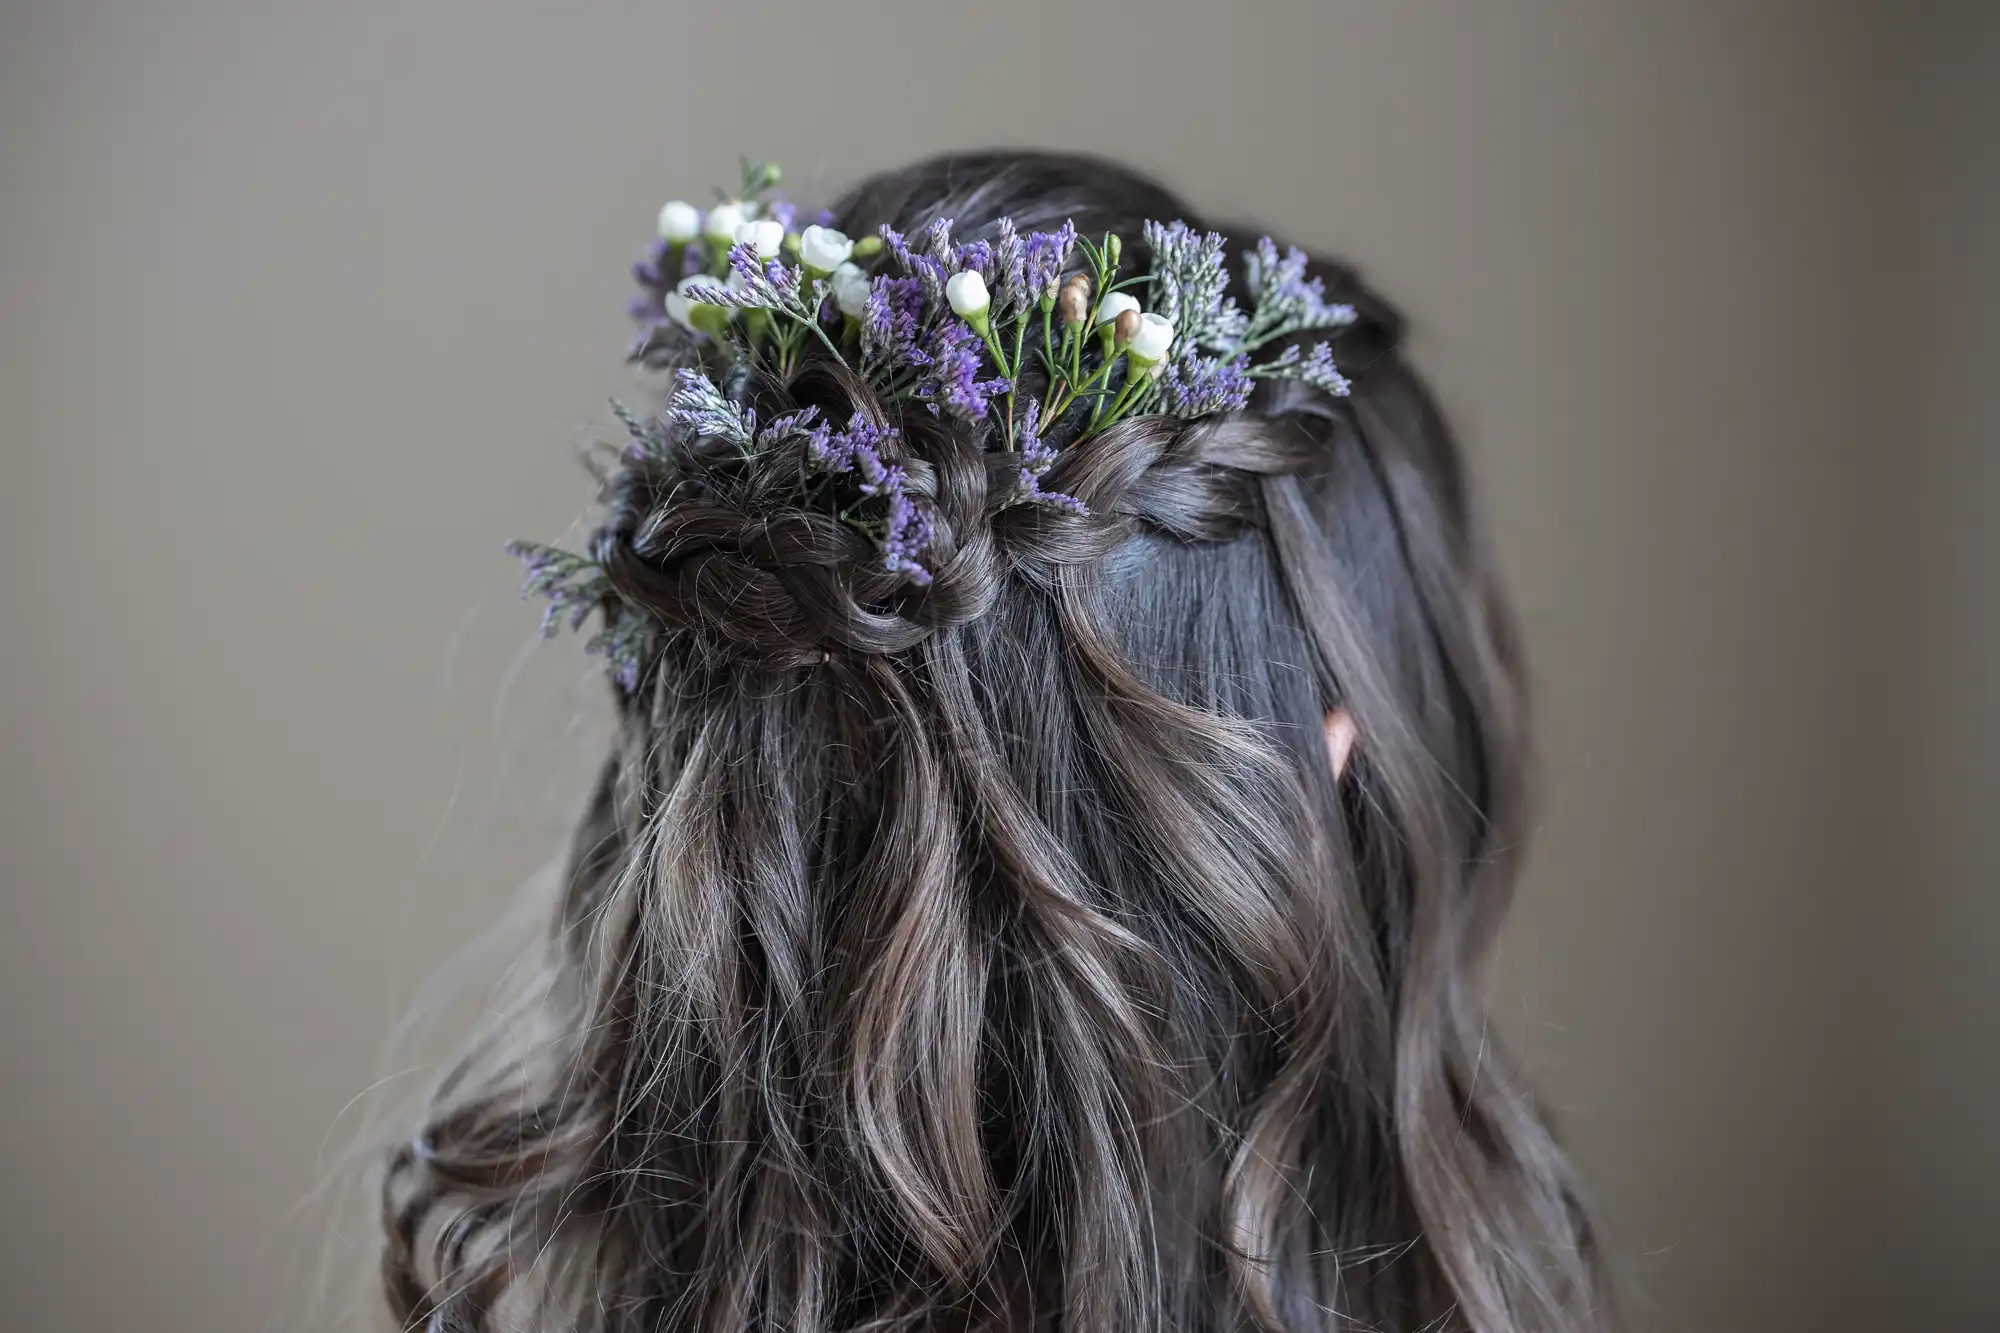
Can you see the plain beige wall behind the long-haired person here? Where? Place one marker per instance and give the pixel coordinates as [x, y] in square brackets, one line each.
[303, 309]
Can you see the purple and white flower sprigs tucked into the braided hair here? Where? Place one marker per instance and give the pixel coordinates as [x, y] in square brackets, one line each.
[1033, 341]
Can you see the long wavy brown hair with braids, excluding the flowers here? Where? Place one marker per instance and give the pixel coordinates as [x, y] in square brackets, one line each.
[1001, 950]
